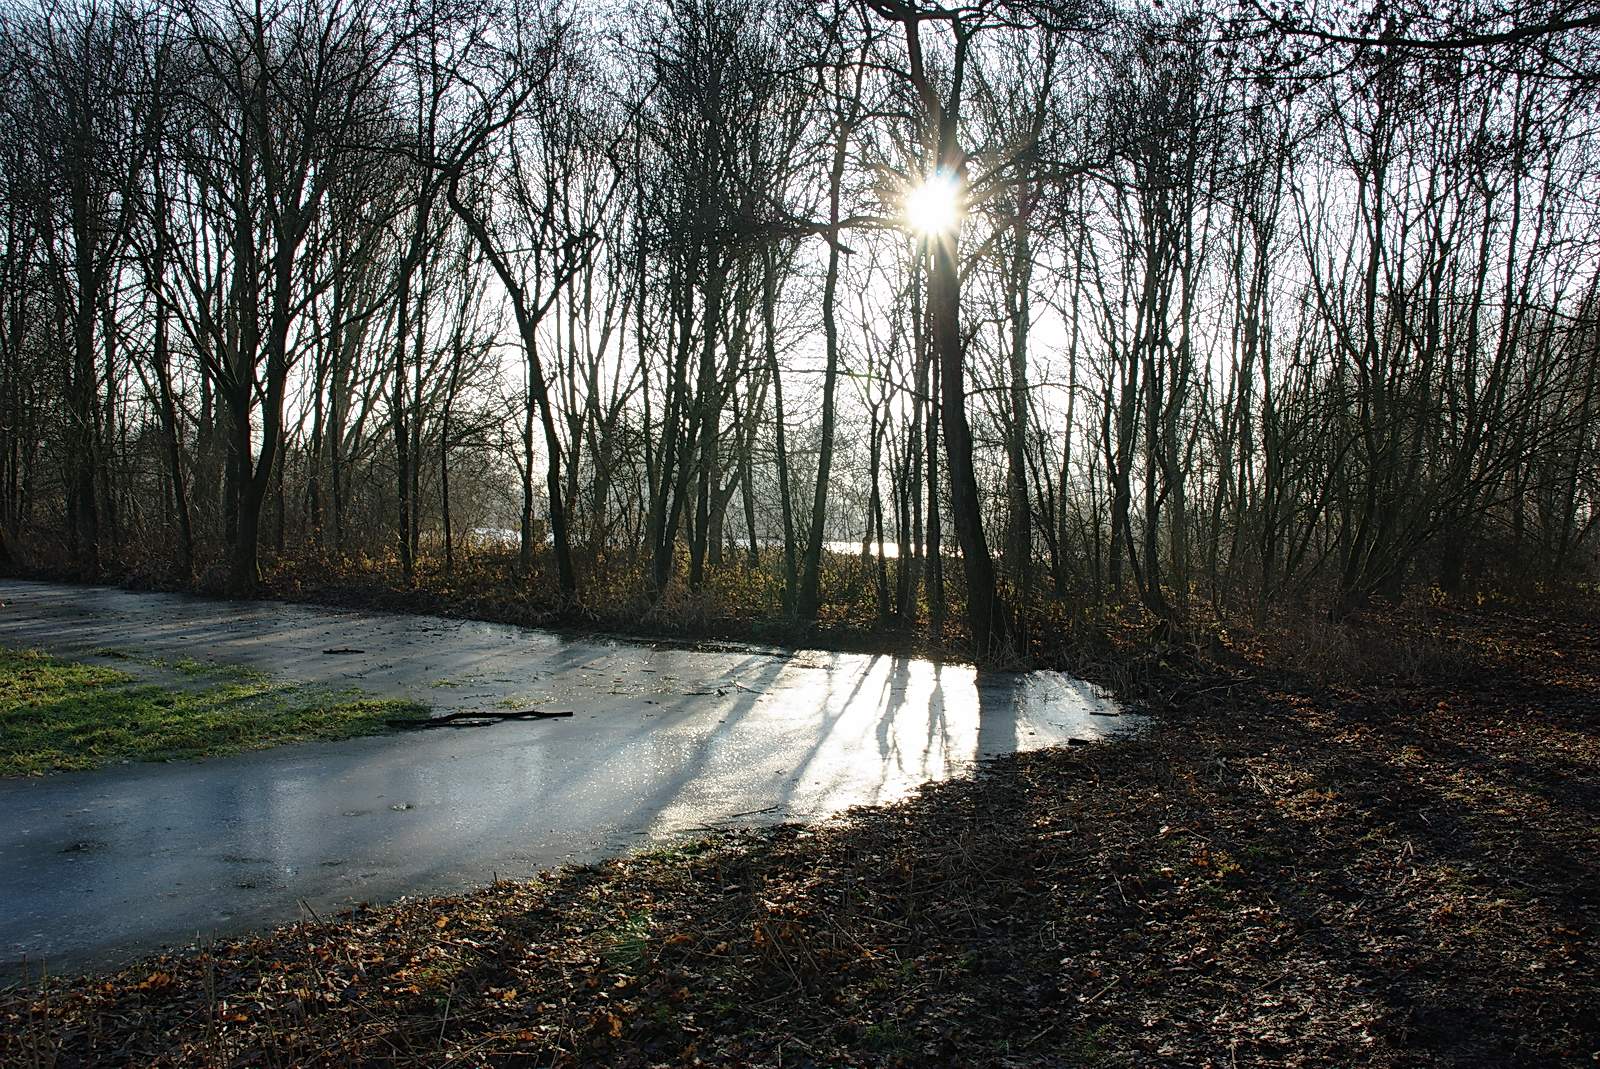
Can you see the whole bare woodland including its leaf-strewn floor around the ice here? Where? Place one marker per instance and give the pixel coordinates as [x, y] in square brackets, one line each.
[1257, 343]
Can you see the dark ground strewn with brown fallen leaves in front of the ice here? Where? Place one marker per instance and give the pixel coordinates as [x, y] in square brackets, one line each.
[1370, 844]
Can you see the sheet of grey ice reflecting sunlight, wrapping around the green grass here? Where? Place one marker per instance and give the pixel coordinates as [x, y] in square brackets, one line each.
[100, 868]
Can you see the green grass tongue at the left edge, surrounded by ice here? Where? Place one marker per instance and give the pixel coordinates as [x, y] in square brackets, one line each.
[58, 716]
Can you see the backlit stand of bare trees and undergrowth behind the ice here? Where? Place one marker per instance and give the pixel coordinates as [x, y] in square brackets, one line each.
[948, 321]
